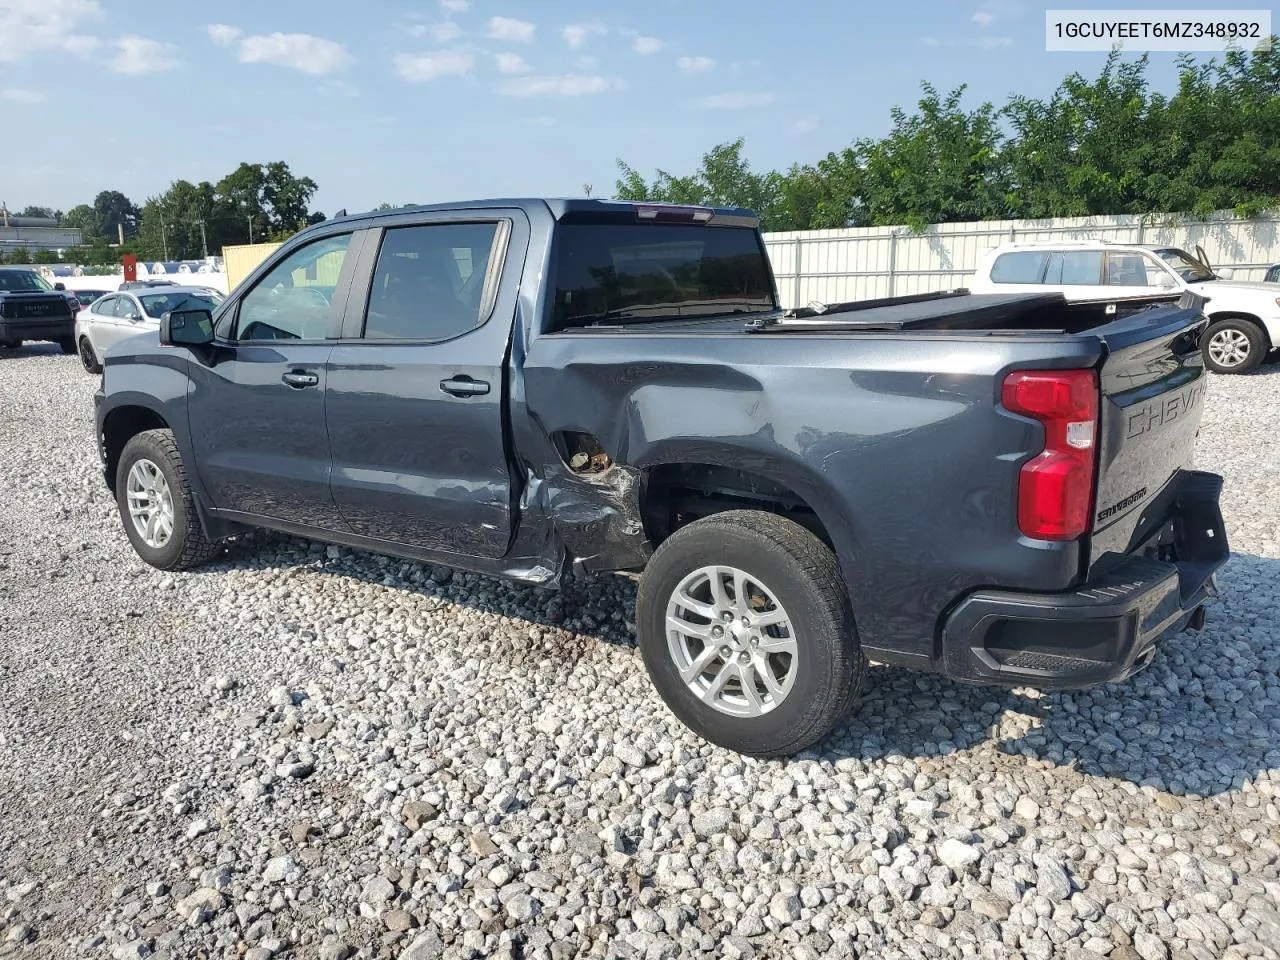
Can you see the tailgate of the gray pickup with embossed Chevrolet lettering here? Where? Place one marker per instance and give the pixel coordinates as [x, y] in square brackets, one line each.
[1154, 385]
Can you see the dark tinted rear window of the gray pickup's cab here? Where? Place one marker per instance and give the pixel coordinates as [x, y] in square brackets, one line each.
[632, 273]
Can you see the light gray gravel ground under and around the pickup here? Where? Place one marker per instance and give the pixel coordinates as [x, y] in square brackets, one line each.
[304, 752]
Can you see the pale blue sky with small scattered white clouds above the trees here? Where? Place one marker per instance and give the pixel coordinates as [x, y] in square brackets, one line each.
[455, 99]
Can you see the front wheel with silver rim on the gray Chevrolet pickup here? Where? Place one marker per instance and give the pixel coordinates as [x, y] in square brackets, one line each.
[156, 504]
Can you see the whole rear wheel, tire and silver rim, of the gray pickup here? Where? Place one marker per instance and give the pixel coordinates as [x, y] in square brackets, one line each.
[746, 629]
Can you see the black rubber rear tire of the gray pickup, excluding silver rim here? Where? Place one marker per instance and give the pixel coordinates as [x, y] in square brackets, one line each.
[816, 636]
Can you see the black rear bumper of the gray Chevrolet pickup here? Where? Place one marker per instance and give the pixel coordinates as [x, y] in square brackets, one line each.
[1105, 630]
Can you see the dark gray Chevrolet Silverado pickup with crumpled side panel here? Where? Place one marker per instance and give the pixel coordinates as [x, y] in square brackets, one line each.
[990, 487]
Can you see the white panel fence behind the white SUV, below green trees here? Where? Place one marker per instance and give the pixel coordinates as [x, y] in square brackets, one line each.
[863, 263]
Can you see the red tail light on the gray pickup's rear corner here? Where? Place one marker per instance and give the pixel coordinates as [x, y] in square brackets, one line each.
[1055, 488]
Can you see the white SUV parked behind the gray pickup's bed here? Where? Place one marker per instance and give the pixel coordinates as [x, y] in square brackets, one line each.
[1245, 318]
